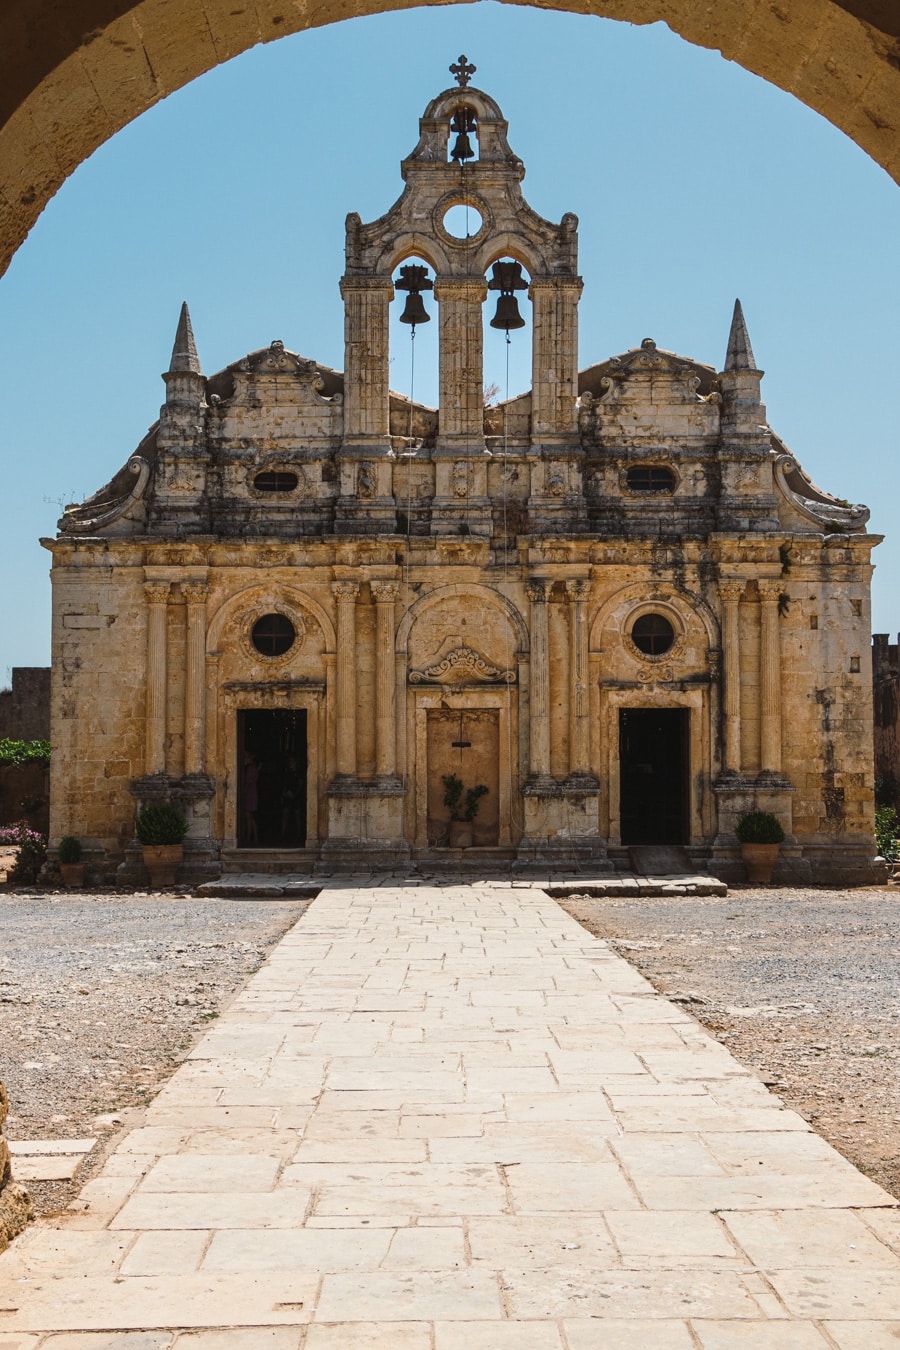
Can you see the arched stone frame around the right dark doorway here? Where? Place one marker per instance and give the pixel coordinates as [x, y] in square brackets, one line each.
[612, 692]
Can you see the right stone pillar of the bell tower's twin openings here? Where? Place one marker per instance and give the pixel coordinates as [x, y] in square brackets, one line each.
[555, 356]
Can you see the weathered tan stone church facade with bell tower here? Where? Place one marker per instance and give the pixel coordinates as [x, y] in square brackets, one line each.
[616, 603]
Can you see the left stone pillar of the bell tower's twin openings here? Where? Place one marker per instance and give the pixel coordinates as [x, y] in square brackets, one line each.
[366, 348]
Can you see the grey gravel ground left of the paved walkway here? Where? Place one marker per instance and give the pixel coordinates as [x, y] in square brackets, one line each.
[103, 996]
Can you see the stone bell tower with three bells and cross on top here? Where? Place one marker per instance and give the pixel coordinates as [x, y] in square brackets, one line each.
[463, 159]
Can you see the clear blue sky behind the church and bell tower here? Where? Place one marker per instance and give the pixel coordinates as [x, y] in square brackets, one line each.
[694, 183]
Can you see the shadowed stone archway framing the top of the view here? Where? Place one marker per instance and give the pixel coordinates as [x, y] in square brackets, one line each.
[75, 74]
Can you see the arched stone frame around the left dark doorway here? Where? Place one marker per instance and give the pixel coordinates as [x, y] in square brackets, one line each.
[277, 692]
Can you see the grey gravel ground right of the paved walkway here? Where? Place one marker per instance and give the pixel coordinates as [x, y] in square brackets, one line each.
[802, 986]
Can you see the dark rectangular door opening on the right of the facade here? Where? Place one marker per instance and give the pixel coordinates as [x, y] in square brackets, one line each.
[654, 776]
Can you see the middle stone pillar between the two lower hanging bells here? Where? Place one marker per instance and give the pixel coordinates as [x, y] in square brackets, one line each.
[462, 376]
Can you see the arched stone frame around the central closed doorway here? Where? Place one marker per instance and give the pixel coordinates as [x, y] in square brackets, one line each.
[414, 703]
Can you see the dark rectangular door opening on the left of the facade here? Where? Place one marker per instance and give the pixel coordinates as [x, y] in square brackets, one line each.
[272, 778]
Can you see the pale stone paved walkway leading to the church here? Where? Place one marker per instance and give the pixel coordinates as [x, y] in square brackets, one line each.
[450, 1120]
